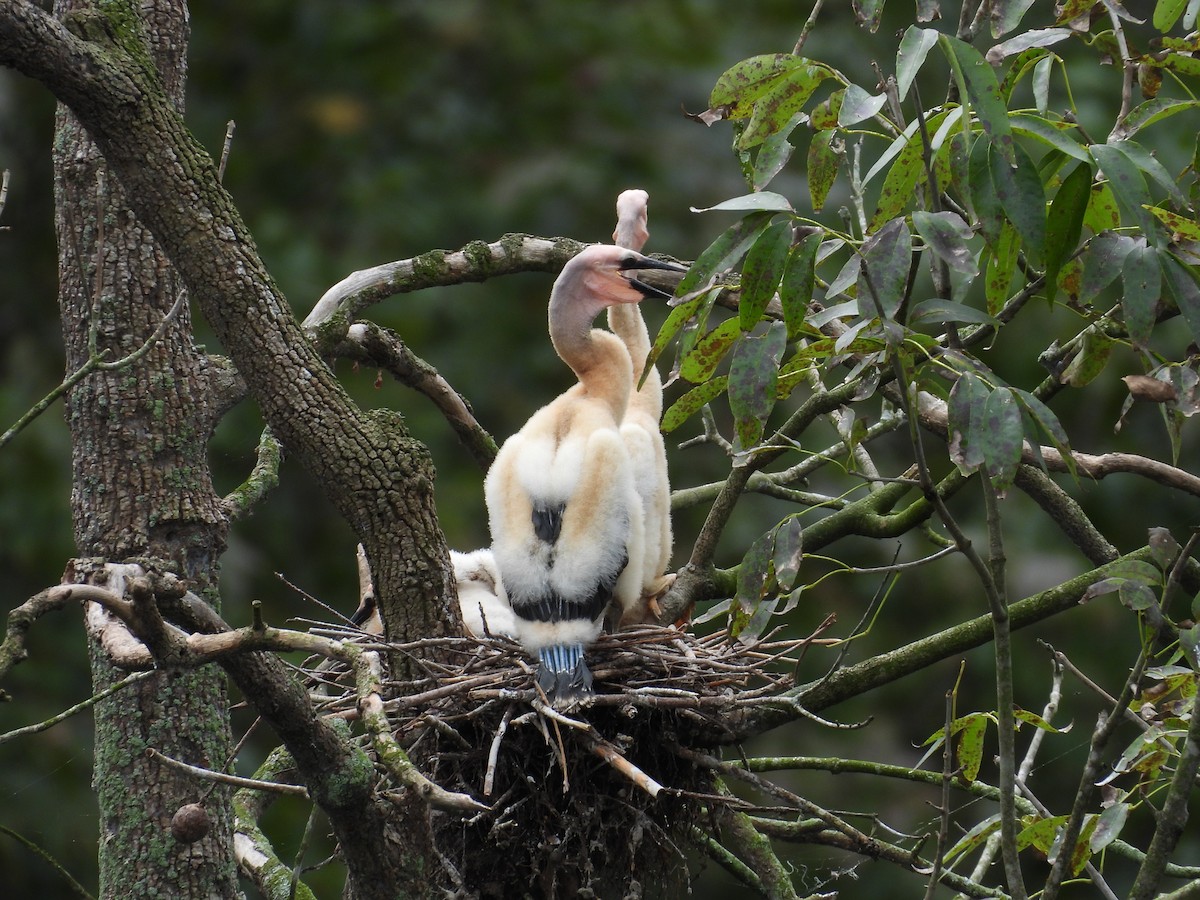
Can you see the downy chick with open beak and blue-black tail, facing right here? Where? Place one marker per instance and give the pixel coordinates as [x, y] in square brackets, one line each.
[562, 502]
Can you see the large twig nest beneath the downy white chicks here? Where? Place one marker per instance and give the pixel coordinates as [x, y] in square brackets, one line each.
[578, 801]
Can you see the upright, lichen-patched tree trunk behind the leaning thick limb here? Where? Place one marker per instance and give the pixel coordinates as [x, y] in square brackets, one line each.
[142, 490]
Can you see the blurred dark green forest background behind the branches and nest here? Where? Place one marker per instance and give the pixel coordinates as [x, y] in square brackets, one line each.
[373, 133]
